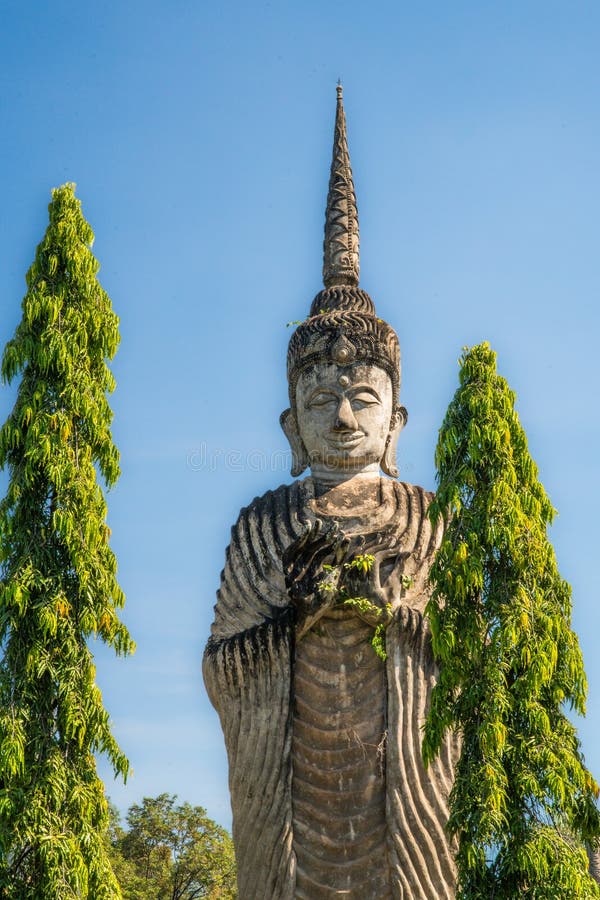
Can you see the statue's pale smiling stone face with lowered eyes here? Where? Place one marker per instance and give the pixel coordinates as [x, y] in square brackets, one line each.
[344, 415]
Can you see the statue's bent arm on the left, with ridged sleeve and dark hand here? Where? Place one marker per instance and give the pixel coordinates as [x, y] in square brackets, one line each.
[276, 584]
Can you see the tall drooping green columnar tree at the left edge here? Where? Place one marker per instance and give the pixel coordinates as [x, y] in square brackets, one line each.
[58, 583]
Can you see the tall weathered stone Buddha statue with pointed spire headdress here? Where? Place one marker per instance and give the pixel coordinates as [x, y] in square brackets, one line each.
[323, 725]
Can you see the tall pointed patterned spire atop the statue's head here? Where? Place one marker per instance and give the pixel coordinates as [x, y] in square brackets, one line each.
[340, 245]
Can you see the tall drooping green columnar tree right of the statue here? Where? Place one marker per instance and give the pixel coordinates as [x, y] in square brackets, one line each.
[523, 804]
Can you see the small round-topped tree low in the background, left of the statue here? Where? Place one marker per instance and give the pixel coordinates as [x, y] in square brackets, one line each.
[172, 852]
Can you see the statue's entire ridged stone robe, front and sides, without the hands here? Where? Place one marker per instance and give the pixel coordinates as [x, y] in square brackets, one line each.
[292, 836]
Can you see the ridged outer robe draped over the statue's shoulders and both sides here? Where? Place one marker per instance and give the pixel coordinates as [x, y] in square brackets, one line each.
[248, 671]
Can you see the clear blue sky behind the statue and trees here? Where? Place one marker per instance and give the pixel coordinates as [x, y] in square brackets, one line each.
[199, 136]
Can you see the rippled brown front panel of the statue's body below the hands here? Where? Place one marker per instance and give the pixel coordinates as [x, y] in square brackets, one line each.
[338, 762]
